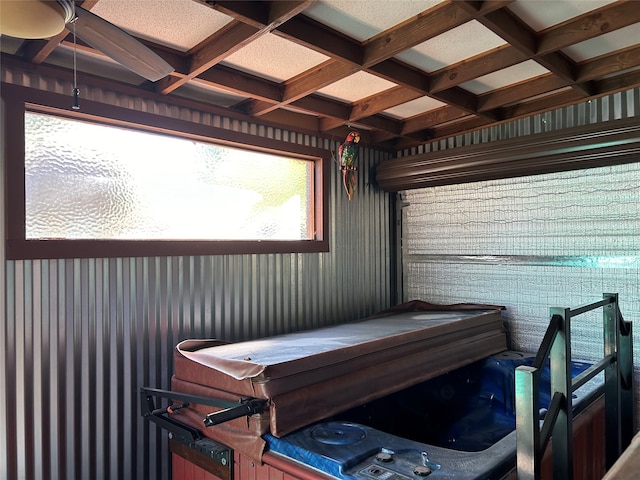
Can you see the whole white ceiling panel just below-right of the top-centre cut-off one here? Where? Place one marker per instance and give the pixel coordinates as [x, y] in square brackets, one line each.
[465, 41]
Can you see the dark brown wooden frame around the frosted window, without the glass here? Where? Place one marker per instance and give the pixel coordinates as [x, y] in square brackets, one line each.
[17, 100]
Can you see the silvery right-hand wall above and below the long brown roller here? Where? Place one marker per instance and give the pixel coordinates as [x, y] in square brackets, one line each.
[535, 242]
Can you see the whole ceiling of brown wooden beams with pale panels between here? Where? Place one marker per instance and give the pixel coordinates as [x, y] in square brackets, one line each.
[403, 72]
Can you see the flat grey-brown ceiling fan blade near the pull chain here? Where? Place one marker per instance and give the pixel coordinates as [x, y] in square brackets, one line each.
[120, 46]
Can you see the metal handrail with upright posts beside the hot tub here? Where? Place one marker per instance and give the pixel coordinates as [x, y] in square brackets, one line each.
[557, 425]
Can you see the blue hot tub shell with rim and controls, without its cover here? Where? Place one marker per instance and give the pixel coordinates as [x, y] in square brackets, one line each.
[458, 425]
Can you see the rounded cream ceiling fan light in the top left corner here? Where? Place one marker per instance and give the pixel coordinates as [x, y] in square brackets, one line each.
[32, 19]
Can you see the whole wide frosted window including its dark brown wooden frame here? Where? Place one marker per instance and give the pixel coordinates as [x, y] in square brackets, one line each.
[106, 184]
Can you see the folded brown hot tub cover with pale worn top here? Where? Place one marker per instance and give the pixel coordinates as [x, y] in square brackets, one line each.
[310, 375]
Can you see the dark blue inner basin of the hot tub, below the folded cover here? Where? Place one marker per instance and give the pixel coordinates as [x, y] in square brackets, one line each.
[468, 409]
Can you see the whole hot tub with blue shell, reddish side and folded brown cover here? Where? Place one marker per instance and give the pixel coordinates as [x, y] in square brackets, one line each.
[419, 391]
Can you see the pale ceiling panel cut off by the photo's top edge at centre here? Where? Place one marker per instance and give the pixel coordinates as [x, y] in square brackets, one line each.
[364, 19]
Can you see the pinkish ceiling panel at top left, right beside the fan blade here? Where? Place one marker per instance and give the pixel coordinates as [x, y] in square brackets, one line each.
[179, 24]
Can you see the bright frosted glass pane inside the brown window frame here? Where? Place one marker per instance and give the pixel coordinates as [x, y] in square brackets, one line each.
[90, 181]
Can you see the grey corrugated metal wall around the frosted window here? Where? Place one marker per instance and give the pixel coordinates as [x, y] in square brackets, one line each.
[81, 336]
